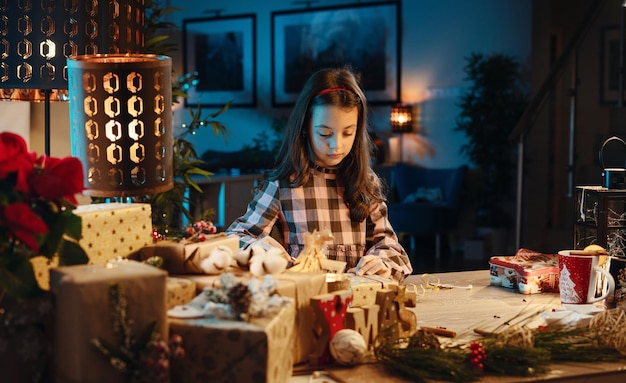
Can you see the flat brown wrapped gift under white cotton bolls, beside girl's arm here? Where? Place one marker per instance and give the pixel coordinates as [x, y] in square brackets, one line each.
[181, 257]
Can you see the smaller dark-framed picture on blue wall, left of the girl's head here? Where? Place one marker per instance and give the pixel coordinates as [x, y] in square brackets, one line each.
[221, 53]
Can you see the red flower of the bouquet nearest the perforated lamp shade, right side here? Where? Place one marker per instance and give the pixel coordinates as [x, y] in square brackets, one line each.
[57, 178]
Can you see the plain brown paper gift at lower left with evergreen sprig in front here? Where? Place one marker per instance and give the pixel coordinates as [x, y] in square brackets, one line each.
[84, 312]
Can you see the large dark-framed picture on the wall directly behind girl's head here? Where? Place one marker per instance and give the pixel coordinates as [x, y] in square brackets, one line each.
[363, 36]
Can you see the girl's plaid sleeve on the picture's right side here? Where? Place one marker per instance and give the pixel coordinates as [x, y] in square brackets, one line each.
[383, 242]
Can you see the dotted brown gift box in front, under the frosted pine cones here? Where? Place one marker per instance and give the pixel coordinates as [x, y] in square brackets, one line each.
[235, 351]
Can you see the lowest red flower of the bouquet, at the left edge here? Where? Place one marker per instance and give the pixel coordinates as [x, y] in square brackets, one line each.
[23, 223]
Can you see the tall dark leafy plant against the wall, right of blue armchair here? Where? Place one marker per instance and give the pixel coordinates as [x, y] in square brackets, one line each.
[490, 109]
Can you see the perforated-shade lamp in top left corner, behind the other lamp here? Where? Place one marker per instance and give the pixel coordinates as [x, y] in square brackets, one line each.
[37, 37]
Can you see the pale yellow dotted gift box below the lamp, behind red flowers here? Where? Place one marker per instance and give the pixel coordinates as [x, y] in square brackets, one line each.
[109, 231]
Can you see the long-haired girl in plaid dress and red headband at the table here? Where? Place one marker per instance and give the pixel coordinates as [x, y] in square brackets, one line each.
[323, 180]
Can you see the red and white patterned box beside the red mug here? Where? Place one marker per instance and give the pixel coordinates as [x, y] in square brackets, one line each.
[528, 272]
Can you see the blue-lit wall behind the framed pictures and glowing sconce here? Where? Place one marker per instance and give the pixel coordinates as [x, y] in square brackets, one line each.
[436, 37]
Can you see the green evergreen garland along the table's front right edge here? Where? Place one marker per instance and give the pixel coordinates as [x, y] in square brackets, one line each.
[514, 351]
